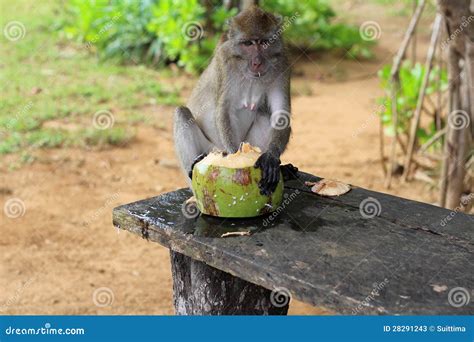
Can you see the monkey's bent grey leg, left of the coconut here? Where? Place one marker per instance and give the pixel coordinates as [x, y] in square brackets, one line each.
[190, 141]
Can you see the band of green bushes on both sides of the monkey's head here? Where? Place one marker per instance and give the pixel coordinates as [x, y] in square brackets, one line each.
[185, 32]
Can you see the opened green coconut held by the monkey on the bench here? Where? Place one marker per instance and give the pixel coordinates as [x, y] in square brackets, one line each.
[227, 186]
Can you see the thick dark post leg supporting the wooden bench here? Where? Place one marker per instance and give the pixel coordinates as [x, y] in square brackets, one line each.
[200, 289]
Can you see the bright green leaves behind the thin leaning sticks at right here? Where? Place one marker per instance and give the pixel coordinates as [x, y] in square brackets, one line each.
[410, 83]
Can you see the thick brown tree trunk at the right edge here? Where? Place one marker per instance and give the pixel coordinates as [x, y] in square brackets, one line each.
[457, 16]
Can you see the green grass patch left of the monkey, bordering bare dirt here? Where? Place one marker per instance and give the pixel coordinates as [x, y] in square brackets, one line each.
[45, 78]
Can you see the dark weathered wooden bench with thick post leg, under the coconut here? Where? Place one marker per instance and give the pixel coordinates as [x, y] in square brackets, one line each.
[361, 253]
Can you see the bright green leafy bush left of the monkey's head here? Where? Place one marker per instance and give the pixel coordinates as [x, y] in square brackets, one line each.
[149, 31]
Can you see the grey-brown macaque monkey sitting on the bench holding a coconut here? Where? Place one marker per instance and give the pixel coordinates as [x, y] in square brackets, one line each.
[243, 95]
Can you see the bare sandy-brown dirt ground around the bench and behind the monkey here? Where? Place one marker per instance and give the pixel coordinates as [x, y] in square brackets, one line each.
[52, 263]
